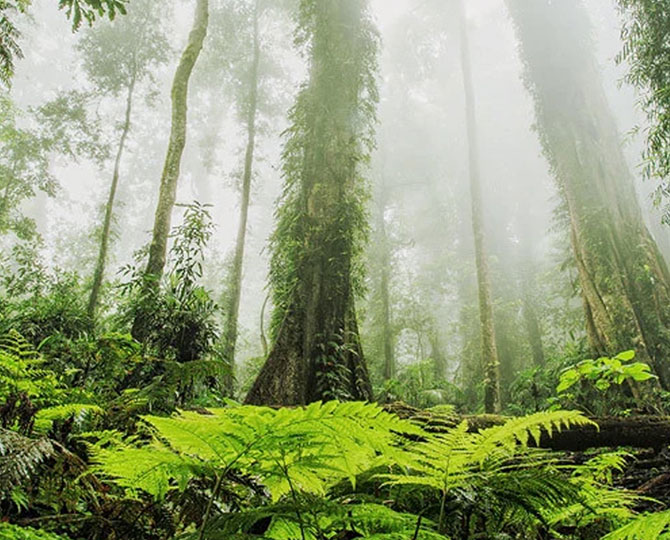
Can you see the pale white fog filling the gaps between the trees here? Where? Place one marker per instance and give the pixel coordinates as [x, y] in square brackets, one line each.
[419, 211]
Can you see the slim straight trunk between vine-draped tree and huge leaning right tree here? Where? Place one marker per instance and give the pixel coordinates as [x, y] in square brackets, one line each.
[490, 362]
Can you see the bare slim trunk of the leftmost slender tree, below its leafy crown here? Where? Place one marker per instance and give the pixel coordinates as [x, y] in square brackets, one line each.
[99, 273]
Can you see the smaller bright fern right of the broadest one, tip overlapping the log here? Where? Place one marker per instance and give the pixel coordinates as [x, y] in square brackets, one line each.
[495, 466]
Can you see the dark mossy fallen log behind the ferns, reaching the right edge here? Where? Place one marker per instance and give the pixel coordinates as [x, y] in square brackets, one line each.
[612, 432]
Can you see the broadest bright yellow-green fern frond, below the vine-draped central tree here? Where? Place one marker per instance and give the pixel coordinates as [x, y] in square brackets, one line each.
[308, 449]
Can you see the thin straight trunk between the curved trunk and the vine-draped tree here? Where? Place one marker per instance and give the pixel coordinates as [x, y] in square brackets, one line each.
[235, 284]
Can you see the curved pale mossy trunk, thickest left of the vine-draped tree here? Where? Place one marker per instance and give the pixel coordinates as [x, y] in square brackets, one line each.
[170, 177]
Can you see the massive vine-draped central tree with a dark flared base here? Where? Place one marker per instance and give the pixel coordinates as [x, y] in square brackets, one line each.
[322, 225]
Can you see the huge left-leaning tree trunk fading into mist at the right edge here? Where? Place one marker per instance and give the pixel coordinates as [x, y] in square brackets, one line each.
[624, 281]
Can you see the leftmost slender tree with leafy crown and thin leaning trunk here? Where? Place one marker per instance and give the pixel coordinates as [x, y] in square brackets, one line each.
[117, 59]
